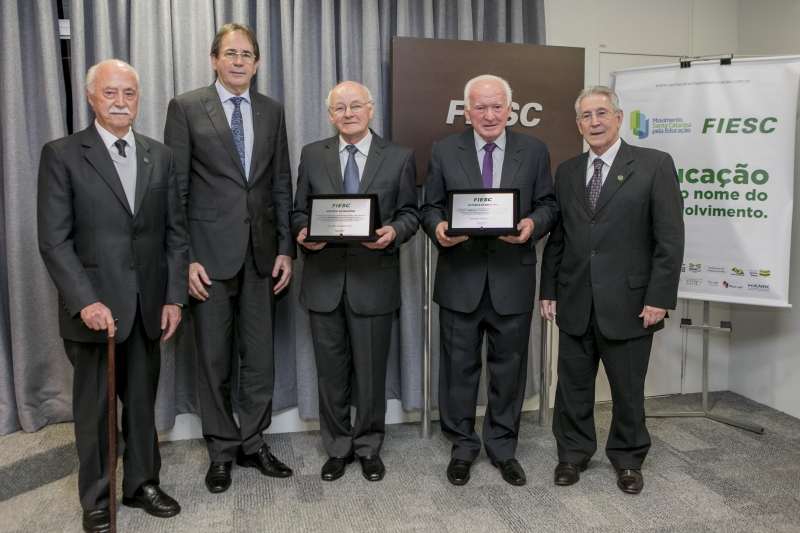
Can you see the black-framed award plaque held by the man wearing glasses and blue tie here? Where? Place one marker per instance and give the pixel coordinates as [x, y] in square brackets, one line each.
[342, 217]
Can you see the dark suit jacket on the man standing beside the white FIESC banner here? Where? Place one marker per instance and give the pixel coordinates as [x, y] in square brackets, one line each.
[625, 255]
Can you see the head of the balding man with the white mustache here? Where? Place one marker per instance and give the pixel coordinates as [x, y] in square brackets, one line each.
[115, 98]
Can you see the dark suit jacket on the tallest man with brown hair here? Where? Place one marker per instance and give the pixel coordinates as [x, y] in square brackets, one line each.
[222, 207]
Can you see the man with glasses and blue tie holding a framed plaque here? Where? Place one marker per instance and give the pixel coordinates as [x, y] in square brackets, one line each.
[351, 278]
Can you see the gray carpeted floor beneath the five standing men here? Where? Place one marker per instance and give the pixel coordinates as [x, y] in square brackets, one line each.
[700, 476]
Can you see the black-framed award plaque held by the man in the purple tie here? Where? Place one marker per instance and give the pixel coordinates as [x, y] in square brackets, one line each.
[482, 212]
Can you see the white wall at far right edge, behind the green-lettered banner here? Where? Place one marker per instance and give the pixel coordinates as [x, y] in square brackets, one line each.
[765, 354]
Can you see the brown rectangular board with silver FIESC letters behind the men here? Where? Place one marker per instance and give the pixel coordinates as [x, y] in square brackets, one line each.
[427, 91]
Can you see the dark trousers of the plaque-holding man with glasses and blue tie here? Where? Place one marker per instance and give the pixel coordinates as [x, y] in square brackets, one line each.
[349, 344]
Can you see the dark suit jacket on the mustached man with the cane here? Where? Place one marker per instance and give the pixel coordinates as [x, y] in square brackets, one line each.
[95, 250]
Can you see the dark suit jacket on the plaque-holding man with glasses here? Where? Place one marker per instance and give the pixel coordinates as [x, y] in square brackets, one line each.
[372, 276]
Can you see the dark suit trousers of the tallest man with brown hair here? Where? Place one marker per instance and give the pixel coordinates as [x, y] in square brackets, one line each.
[245, 306]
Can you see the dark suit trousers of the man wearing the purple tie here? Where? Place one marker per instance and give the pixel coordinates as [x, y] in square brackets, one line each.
[459, 378]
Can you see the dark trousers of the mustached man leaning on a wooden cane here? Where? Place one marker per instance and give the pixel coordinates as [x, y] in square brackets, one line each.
[138, 363]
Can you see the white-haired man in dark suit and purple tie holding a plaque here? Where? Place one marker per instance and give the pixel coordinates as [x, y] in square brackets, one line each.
[486, 278]
